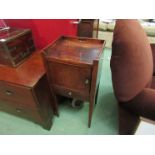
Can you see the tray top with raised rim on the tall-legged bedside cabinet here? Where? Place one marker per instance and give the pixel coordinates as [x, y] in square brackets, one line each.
[76, 49]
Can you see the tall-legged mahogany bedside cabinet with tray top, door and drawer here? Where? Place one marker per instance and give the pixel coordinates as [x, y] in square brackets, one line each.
[73, 66]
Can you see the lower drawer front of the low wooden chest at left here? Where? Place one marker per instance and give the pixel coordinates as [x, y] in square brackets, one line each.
[20, 111]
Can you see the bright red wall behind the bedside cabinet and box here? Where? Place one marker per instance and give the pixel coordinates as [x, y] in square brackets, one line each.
[45, 30]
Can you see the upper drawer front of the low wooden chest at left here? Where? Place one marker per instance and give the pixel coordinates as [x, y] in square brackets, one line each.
[18, 94]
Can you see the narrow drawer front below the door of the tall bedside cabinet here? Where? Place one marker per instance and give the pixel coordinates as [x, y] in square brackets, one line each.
[71, 93]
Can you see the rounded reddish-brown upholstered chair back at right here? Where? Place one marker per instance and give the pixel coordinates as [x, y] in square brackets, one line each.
[131, 61]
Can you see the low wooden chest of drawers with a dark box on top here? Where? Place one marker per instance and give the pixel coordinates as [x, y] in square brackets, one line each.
[24, 91]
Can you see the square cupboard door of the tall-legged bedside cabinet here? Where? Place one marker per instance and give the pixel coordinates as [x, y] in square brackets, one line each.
[72, 77]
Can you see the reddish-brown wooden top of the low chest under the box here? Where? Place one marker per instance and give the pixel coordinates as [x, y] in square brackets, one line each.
[27, 74]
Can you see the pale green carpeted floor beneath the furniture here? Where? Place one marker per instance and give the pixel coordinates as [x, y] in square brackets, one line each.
[72, 121]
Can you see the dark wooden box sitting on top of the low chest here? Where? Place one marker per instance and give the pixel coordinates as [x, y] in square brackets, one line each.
[15, 46]
